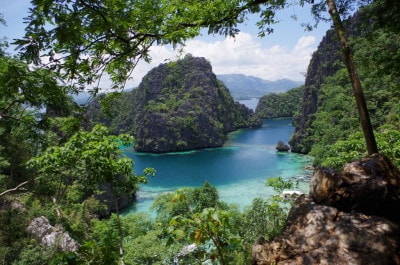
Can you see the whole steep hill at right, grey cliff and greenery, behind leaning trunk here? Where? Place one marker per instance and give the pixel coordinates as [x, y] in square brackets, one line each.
[327, 125]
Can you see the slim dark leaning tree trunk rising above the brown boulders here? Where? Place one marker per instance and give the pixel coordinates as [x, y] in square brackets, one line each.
[354, 79]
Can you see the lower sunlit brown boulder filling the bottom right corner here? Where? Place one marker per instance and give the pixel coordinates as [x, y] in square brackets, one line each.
[319, 234]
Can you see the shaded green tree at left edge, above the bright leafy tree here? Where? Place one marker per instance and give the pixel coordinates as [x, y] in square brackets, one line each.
[24, 93]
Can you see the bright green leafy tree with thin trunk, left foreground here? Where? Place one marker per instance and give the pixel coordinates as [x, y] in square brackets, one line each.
[73, 174]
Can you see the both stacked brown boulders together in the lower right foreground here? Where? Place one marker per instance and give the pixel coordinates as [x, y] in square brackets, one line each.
[348, 218]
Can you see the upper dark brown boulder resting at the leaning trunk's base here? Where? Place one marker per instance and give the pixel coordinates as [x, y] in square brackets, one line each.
[370, 185]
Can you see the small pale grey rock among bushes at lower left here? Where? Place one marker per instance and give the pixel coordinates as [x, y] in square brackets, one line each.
[41, 229]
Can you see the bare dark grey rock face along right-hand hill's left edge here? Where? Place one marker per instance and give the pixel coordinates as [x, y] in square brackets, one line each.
[322, 64]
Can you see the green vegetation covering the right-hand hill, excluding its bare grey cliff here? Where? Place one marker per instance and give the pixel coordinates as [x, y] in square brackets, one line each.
[334, 133]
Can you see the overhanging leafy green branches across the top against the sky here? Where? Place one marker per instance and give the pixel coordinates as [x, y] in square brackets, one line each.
[83, 40]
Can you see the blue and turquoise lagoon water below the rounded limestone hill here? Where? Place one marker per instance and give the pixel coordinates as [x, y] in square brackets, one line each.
[239, 169]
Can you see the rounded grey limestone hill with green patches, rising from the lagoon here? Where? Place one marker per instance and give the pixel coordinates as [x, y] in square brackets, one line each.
[178, 106]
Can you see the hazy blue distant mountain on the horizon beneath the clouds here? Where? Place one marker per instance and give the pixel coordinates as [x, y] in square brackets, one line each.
[247, 87]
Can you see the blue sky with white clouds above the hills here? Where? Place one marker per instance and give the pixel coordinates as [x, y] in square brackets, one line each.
[282, 54]
